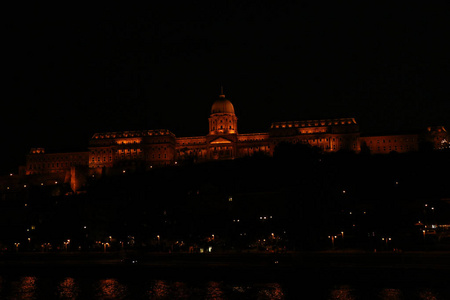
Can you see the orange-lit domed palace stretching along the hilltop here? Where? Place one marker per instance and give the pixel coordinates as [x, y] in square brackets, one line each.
[114, 152]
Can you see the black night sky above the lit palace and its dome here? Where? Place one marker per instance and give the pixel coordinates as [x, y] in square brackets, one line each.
[71, 71]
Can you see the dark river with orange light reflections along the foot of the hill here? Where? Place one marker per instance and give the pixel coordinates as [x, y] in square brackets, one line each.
[230, 276]
